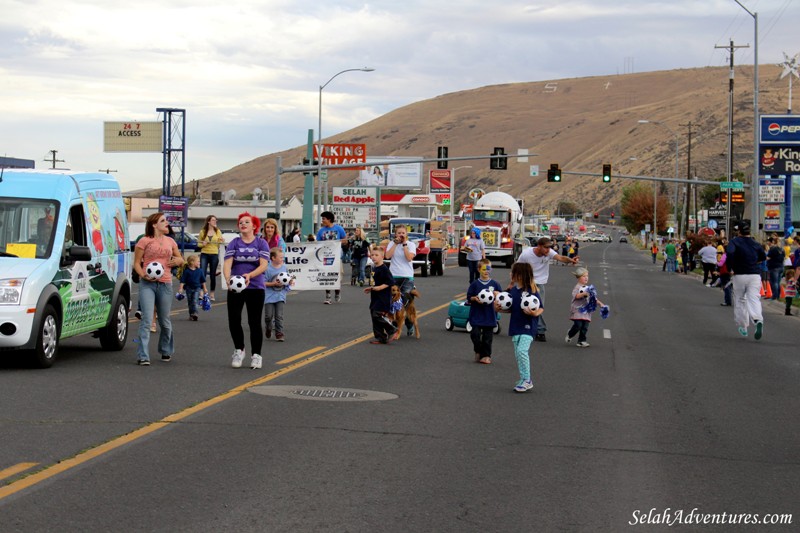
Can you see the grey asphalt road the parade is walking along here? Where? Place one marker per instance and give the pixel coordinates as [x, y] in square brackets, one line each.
[667, 411]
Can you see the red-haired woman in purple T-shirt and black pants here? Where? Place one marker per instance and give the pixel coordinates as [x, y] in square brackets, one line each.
[248, 256]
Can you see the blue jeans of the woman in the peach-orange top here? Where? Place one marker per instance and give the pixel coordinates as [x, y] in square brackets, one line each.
[155, 296]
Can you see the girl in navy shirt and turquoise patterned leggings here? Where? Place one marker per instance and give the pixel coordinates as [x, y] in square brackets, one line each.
[523, 322]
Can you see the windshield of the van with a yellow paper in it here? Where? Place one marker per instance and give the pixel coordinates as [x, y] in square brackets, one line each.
[27, 227]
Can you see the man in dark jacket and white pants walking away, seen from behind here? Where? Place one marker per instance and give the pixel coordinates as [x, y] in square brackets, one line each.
[744, 258]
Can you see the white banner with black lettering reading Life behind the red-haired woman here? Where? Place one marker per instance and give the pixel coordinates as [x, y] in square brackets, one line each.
[315, 265]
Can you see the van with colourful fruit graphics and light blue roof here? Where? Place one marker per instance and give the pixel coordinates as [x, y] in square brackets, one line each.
[65, 261]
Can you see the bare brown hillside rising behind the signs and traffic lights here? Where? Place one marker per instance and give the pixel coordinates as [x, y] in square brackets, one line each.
[580, 124]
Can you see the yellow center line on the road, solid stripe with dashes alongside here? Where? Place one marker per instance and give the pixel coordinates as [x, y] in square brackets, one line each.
[97, 451]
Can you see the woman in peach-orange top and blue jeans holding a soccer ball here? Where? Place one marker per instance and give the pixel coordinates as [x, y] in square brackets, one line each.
[156, 293]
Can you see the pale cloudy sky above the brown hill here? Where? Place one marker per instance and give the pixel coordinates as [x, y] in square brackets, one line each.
[248, 72]
